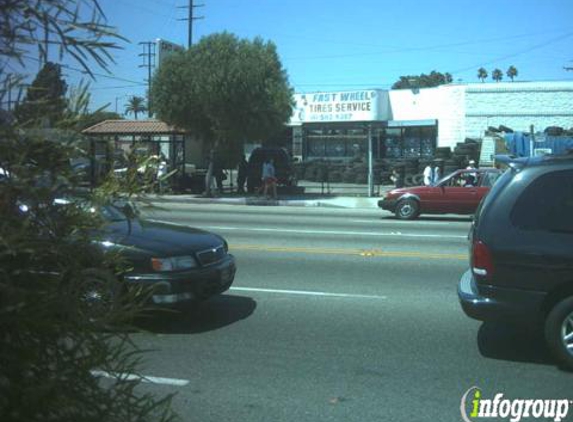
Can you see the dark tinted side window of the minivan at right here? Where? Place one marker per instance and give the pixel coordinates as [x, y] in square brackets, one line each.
[546, 204]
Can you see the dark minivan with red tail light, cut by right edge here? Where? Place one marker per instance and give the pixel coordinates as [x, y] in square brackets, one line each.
[521, 252]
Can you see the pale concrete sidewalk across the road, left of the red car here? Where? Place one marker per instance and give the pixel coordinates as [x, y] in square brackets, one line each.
[340, 196]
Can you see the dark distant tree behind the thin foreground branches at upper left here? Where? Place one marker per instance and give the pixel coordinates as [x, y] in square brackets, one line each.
[45, 100]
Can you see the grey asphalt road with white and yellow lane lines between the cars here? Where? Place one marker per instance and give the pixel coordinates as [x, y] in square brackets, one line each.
[338, 315]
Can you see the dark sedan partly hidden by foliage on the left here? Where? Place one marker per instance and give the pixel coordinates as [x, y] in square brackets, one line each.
[179, 264]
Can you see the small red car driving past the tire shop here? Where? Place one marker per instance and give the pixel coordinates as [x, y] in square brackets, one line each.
[458, 193]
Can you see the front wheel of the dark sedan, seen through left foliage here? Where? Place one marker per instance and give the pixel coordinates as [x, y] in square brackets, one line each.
[98, 293]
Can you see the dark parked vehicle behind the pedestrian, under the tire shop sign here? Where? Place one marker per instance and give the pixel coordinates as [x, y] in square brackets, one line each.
[283, 167]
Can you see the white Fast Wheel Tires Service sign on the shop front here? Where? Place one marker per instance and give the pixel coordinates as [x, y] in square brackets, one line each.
[347, 106]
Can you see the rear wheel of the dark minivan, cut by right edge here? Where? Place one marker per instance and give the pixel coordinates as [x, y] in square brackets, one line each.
[559, 331]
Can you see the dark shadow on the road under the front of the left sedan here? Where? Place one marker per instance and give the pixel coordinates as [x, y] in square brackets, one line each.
[210, 315]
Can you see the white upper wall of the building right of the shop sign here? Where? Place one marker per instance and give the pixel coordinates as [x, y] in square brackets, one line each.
[467, 110]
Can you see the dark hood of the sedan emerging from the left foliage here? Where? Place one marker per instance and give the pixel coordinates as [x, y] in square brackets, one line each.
[159, 239]
